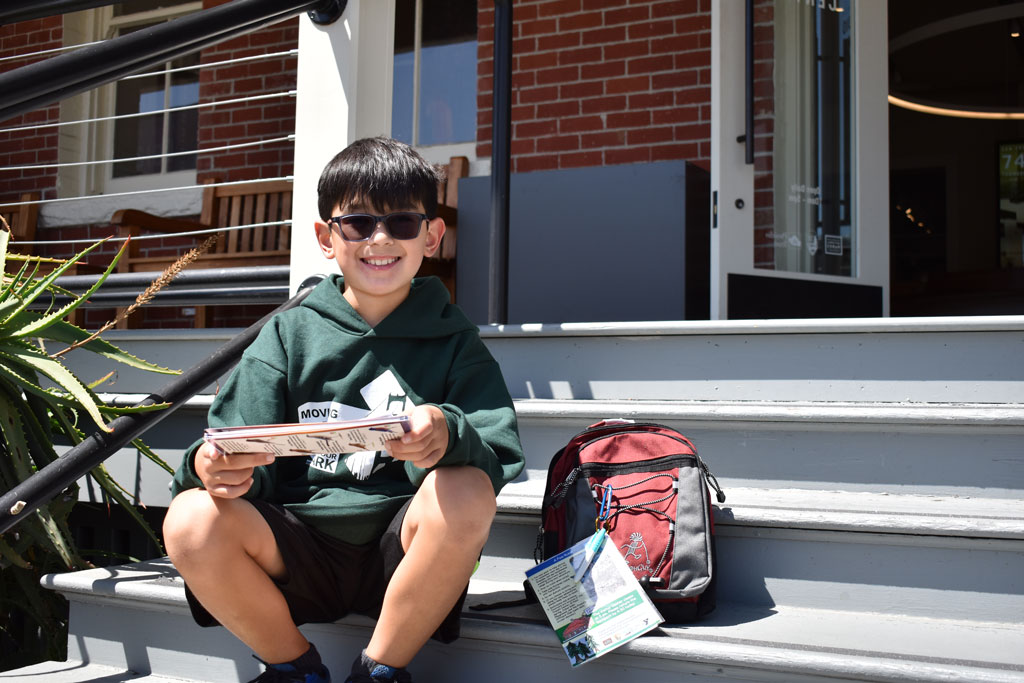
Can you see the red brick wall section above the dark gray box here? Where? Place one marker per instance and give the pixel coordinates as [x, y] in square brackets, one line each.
[603, 82]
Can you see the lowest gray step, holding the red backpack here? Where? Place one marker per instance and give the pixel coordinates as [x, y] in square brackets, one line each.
[135, 619]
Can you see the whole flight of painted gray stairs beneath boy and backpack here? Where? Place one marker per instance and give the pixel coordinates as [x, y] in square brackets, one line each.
[874, 528]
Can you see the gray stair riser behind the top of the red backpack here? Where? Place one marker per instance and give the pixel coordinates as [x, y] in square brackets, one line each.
[968, 460]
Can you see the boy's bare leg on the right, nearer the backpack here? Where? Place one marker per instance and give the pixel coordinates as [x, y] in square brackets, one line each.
[445, 530]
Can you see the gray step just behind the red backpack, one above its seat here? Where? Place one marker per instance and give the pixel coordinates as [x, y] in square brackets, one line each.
[931, 558]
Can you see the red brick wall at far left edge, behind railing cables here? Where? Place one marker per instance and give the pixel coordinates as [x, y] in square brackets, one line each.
[29, 147]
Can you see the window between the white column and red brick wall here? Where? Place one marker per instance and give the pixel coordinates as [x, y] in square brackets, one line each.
[435, 97]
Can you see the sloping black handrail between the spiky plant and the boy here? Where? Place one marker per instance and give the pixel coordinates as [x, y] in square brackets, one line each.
[35, 492]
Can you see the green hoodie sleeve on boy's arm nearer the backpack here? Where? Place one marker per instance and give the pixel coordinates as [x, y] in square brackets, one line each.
[481, 419]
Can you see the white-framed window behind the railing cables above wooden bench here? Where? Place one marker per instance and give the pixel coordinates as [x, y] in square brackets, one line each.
[169, 86]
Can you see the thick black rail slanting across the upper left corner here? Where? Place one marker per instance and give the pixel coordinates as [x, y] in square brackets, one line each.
[46, 82]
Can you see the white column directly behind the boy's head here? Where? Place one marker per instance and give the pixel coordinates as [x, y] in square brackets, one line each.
[344, 95]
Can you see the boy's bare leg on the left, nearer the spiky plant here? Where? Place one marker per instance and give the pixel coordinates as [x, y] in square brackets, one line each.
[228, 554]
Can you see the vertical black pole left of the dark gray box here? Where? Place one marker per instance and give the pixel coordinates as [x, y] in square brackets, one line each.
[501, 162]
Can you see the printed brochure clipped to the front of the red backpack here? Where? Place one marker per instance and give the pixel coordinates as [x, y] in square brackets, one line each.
[592, 600]
